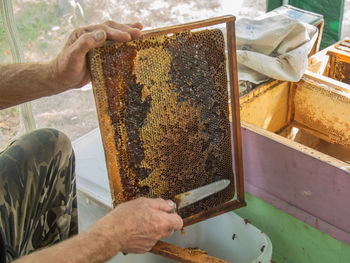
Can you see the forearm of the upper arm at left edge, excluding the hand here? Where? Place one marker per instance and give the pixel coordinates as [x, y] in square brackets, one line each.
[24, 82]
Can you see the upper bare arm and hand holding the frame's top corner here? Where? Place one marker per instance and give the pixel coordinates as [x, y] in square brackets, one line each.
[24, 82]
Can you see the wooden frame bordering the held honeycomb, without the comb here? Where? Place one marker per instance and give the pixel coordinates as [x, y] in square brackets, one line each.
[108, 135]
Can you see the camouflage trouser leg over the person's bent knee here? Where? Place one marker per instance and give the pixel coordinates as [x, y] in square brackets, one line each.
[38, 202]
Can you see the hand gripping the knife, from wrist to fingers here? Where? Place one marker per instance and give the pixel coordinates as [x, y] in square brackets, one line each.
[136, 226]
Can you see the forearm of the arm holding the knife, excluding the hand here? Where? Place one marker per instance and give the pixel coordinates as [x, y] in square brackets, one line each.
[90, 246]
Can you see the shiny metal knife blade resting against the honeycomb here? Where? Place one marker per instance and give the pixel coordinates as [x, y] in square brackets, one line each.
[200, 193]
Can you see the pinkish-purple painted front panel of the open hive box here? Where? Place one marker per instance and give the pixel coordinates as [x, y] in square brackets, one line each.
[303, 186]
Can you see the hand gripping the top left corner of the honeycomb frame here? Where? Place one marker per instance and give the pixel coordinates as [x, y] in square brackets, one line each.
[69, 68]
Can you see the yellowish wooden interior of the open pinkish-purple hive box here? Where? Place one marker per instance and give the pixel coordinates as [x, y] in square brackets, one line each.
[314, 112]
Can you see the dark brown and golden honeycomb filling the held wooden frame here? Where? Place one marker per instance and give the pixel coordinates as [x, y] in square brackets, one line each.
[162, 104]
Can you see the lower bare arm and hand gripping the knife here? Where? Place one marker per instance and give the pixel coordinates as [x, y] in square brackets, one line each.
[132, 227]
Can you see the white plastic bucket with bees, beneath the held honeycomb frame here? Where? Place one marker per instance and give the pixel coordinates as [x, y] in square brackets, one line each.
[215, 236]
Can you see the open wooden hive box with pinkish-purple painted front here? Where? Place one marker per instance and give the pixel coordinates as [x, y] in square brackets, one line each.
[296, 145]
